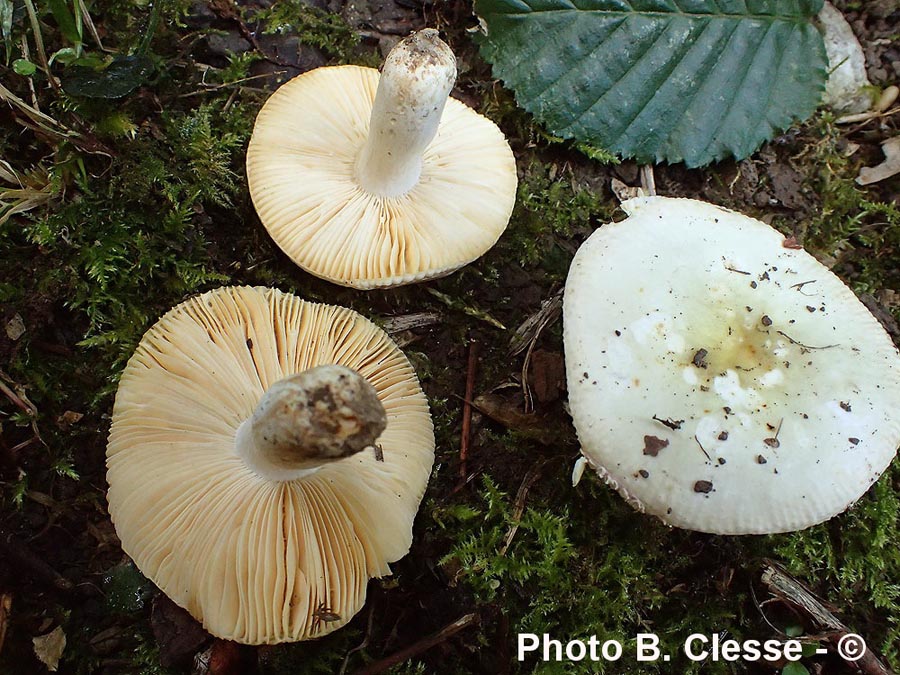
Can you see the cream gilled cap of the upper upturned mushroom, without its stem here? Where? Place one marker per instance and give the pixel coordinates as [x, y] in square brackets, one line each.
[301, 174]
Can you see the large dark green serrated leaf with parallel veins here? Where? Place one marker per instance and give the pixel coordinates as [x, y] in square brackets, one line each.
[660, 80]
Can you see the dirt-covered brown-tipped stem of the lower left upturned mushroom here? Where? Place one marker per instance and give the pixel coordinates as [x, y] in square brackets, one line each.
[304, 421]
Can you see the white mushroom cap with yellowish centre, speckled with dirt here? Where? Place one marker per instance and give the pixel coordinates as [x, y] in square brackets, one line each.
[719, 377]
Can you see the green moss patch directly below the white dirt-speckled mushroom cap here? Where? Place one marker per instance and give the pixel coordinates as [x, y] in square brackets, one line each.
[584, 563]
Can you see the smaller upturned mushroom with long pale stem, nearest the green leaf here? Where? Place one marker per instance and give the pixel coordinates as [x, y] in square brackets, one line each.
[371, 181]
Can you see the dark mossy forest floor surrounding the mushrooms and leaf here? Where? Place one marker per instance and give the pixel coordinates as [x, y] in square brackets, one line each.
[138, 202]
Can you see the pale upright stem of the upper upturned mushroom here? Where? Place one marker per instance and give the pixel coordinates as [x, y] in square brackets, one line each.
[416, 80]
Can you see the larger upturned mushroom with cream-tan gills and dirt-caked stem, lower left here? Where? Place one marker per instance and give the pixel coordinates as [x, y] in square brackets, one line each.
[267, 457]
